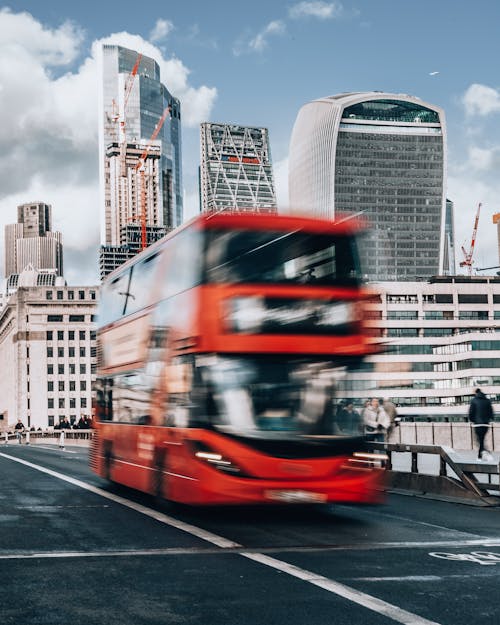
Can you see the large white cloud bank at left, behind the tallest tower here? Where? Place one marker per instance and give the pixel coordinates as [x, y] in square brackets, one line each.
[48, 142]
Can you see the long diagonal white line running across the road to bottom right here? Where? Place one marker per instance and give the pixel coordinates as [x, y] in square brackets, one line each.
[360, 598]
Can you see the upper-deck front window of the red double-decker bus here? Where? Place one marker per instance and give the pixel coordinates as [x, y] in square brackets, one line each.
[298, 257]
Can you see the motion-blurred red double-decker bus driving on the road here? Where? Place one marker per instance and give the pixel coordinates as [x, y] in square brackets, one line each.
[220, 348]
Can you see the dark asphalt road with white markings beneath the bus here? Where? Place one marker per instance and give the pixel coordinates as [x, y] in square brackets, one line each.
[74, 549]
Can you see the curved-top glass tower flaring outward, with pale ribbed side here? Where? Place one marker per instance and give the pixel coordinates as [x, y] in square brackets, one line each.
[383, 156]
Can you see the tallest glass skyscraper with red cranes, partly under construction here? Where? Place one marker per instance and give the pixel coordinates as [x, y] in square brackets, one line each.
[133, 102]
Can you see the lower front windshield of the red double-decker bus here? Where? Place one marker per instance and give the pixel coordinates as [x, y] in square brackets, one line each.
[278, 396]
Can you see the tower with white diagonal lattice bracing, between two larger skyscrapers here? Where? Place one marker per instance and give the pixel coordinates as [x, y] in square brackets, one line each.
[236, 169]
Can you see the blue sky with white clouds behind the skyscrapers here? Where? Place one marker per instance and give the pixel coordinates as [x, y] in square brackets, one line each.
[252, 63]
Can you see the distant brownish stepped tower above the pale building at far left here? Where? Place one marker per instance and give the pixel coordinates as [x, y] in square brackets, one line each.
[31, 241]
